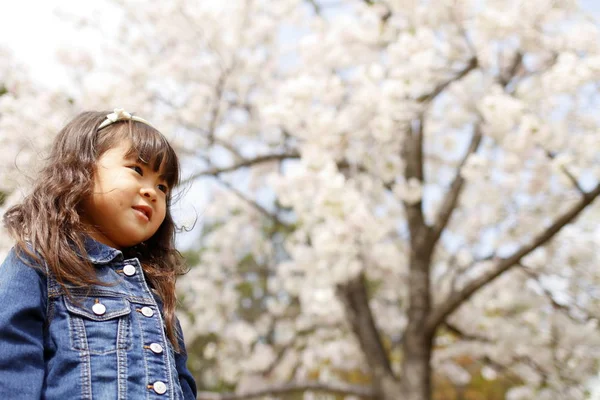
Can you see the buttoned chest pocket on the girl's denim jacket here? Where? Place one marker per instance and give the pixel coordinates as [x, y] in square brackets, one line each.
[99, 325]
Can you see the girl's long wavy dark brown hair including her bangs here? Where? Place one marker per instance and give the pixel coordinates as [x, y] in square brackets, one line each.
[47, 226]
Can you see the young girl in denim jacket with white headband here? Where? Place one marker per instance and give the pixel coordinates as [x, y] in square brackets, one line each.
[87, 295]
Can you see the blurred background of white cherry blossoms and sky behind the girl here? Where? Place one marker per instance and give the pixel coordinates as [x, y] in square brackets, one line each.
[381, 199]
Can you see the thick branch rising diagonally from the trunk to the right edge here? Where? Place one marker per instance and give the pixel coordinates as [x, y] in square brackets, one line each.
[502, 265]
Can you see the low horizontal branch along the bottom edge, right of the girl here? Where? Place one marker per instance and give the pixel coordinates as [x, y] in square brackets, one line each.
[275, 390]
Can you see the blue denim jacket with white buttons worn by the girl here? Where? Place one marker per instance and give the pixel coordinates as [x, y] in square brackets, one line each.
[105, 342]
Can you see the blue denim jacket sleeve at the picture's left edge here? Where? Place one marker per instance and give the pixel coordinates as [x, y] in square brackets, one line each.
[23, 299]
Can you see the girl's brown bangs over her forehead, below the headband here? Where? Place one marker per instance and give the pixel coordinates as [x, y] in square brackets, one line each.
[151, 148]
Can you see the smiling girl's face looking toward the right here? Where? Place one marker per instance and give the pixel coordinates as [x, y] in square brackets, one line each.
[129, 200]
